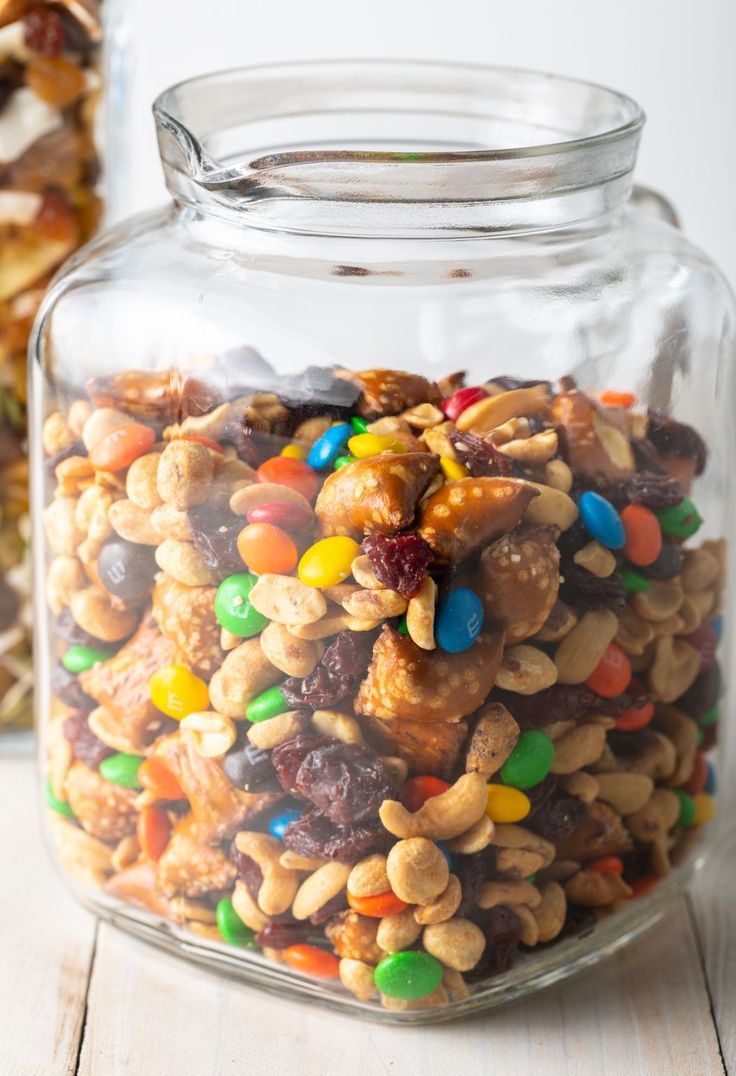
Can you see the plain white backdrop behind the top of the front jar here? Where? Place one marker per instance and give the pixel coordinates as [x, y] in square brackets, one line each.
[677, 58]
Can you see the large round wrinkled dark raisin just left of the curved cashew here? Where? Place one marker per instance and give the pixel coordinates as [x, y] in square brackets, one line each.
[347, 782]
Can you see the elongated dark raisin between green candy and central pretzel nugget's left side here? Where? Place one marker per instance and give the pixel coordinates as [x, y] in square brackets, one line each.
[344, 664]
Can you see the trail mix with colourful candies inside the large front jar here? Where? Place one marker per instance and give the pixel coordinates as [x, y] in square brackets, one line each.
[386, 678]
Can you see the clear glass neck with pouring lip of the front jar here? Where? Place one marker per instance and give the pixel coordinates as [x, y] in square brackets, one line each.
[405, 150]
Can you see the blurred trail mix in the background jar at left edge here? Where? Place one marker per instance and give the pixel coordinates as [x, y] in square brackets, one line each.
[49, 171]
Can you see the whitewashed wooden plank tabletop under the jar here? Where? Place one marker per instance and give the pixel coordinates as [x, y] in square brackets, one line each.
[78, 997]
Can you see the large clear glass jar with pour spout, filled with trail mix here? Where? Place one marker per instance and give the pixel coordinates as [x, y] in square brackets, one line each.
[379, 605]
